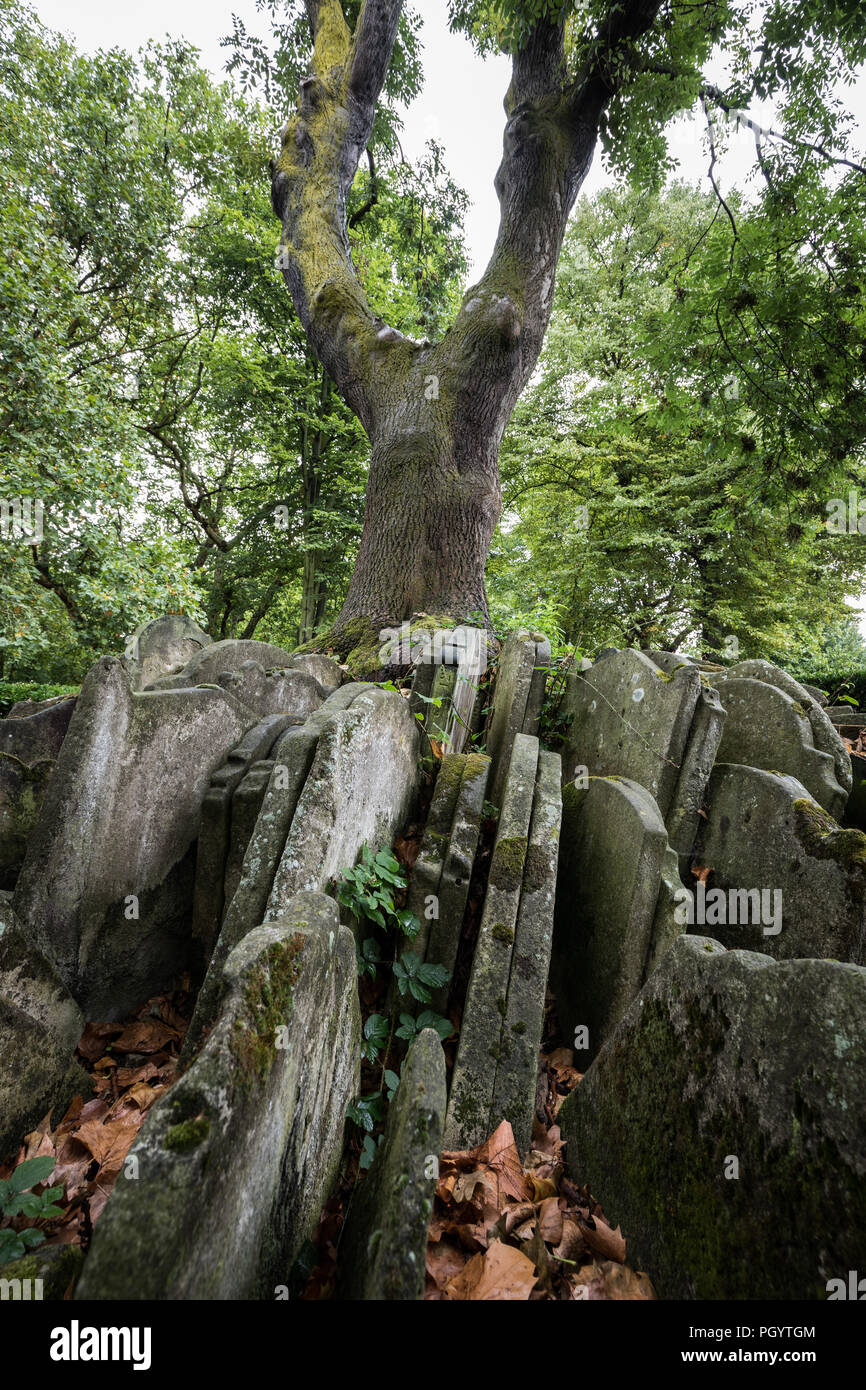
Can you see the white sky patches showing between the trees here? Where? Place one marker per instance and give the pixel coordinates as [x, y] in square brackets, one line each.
[461, 105]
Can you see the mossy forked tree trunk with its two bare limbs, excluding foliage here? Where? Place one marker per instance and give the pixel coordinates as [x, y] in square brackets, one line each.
[436, 412]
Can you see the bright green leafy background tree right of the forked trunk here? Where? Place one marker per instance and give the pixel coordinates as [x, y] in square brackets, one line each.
[635, 511]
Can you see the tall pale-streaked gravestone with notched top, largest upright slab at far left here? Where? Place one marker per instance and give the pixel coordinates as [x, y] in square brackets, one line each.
[116, 837]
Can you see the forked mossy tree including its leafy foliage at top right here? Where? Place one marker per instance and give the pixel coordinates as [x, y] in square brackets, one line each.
[436, 412]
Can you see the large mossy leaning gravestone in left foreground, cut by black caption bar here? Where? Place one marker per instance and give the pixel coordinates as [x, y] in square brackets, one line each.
[240, 1156]
